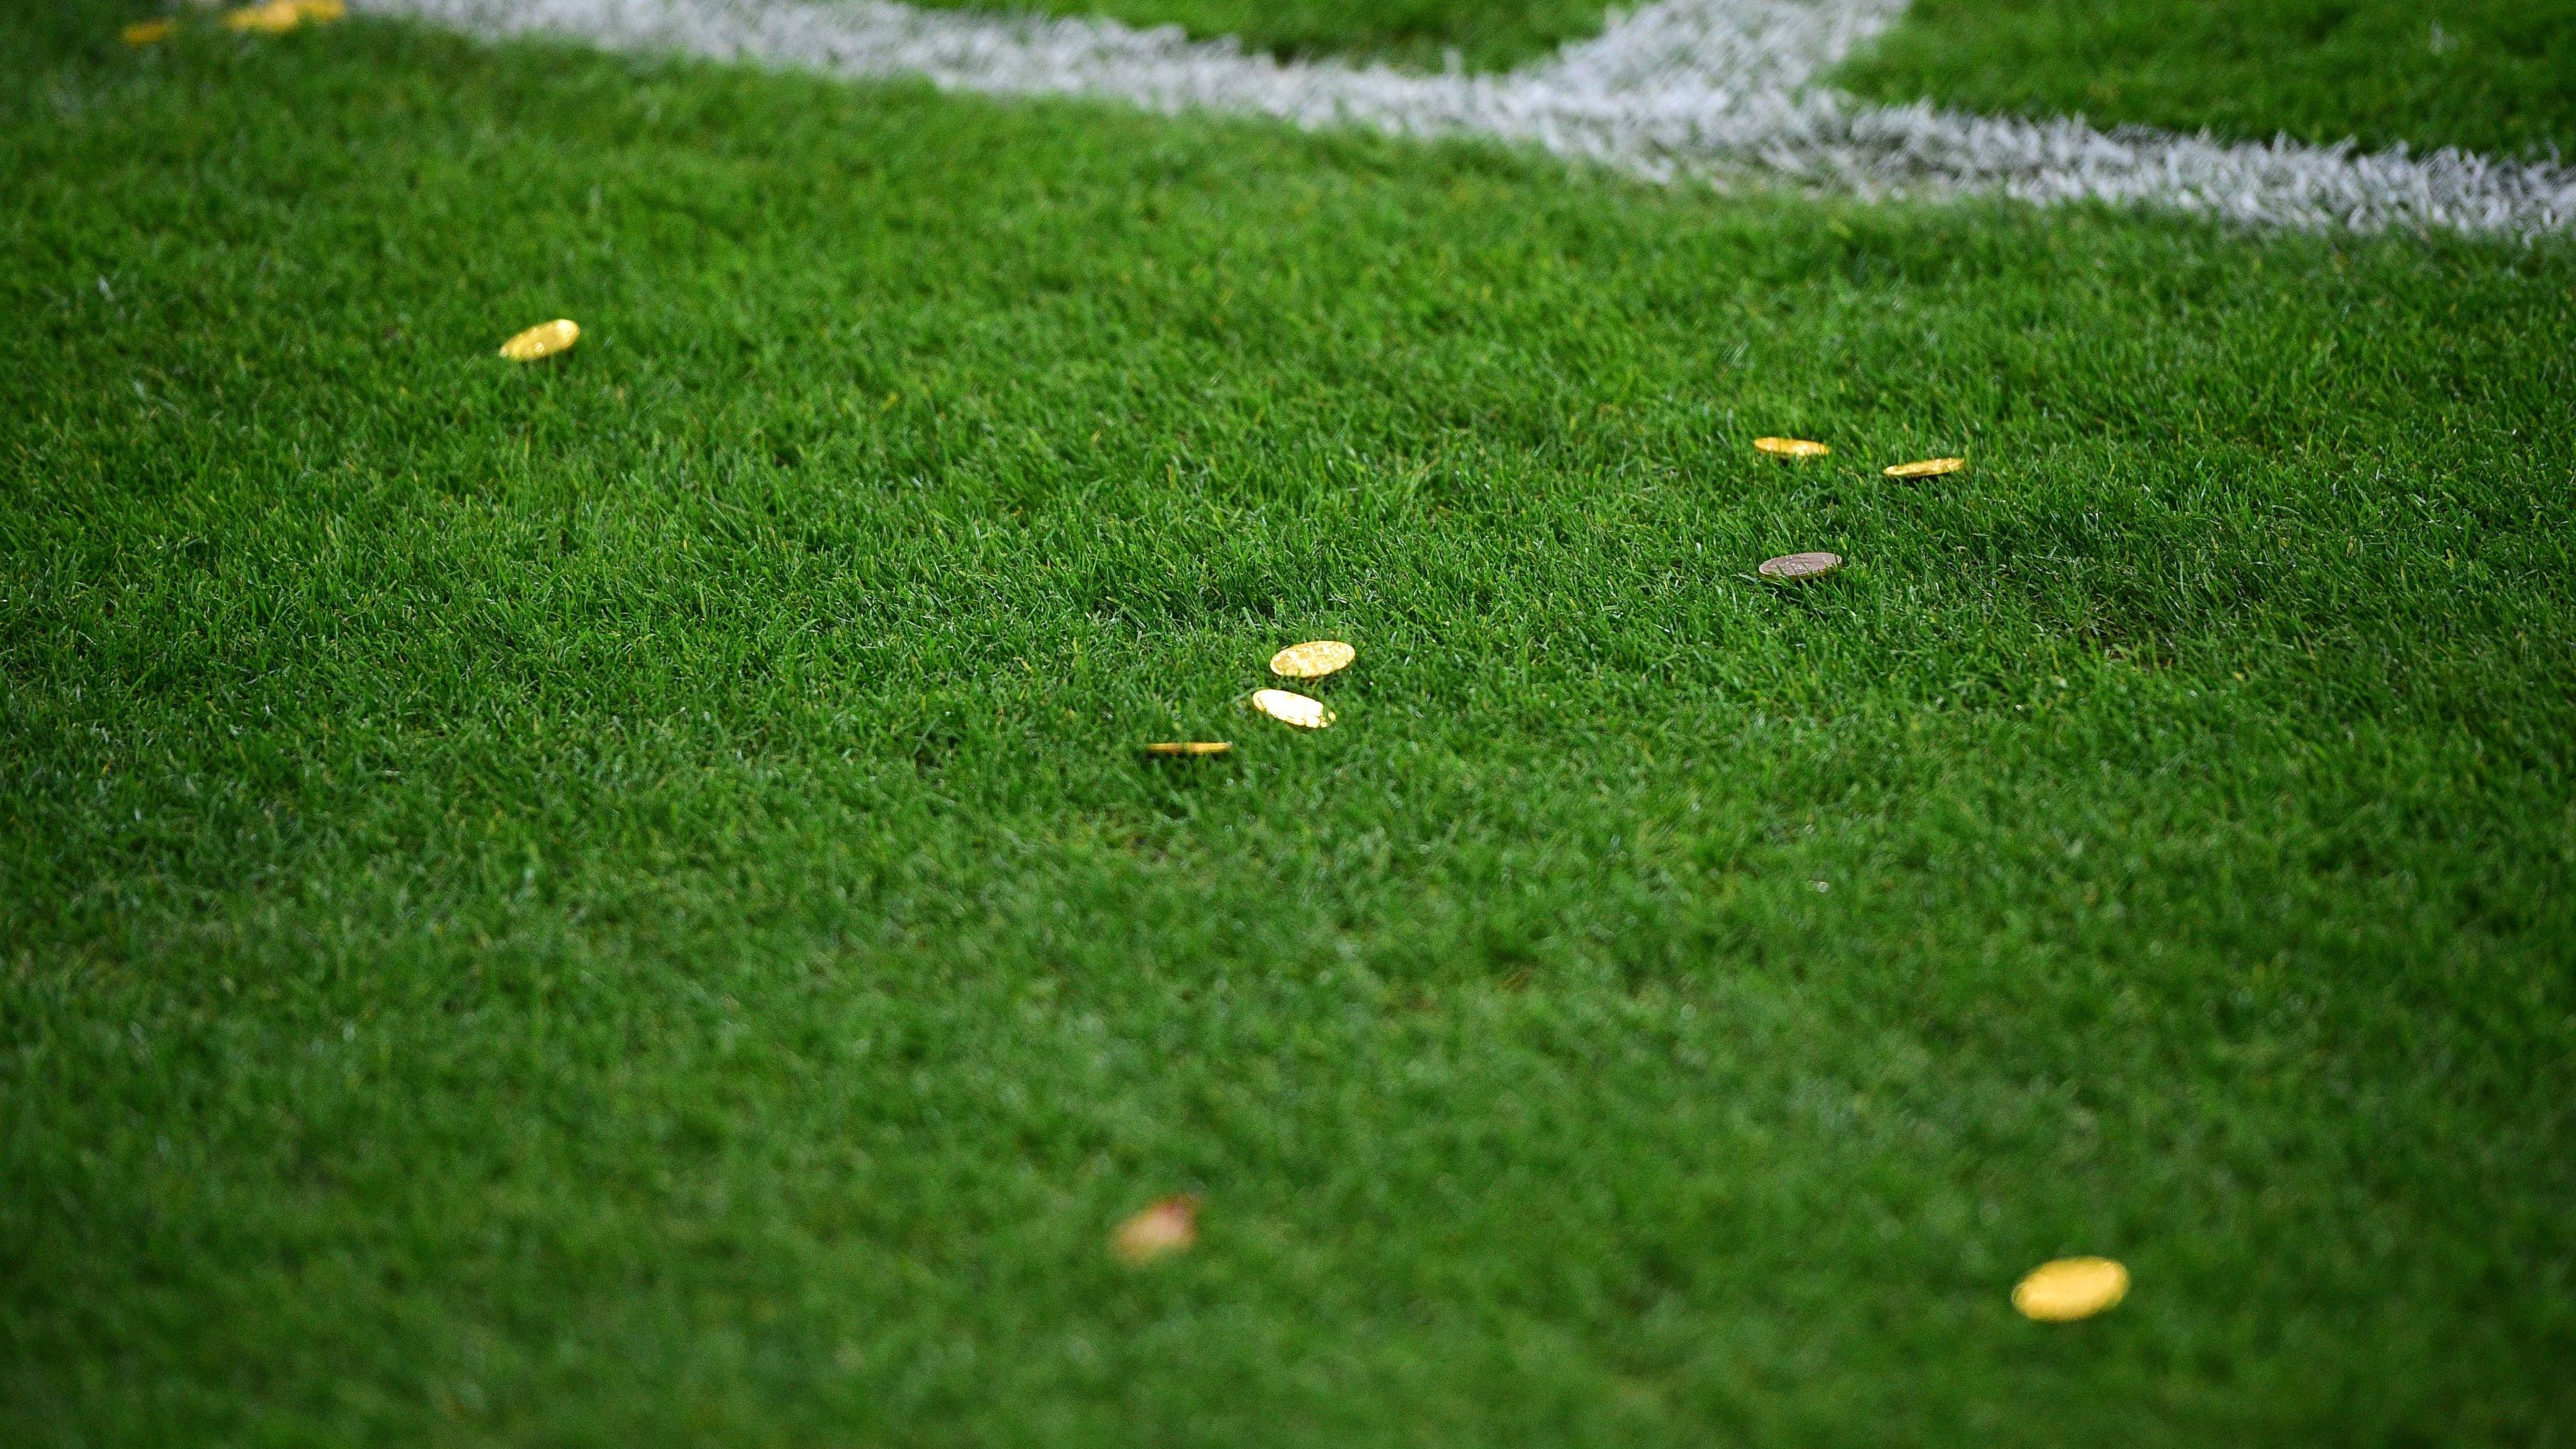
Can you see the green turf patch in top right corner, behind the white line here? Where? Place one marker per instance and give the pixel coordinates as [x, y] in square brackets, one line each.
[2490, 76]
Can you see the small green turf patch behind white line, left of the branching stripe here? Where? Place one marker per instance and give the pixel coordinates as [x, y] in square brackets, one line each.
[1480, 35]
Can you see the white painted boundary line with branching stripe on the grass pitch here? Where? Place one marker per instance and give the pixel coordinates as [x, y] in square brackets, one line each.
[1678, 92]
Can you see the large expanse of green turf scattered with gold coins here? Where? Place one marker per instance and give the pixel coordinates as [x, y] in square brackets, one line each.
[620, 904]
